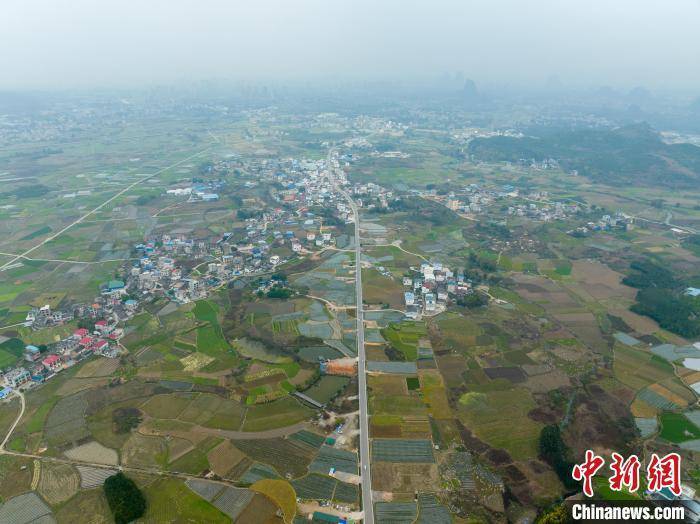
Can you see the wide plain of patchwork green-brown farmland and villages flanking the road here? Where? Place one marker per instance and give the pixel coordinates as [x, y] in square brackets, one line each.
[565, 313]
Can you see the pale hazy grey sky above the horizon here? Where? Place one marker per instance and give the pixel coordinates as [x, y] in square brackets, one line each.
[66, 43]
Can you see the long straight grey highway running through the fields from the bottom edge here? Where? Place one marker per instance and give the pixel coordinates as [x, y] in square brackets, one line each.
[365, 469]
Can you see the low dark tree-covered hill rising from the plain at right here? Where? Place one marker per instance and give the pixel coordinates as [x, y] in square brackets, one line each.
[629, 154]
